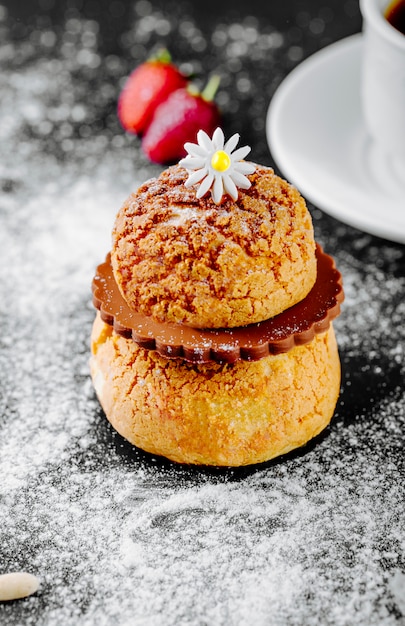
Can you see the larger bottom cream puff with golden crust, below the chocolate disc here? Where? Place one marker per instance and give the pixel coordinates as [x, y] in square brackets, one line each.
[213, 414]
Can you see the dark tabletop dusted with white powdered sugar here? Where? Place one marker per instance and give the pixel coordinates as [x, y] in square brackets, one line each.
[115, 535]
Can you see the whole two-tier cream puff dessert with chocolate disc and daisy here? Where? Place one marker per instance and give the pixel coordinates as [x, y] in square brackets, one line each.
[213, 341]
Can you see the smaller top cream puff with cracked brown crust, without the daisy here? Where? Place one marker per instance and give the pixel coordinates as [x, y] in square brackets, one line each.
[187, 260]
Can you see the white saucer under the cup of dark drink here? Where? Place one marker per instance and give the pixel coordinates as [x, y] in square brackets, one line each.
[318, 139]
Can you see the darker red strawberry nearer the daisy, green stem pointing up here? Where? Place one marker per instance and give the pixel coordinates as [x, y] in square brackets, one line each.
[178, 119]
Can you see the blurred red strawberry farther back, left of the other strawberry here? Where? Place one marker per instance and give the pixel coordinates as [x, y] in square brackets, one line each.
[148, 85]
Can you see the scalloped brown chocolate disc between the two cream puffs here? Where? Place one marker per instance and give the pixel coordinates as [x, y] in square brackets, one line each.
[297, 325]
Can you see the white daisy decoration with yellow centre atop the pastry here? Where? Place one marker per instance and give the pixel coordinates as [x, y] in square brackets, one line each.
[217, 166]
